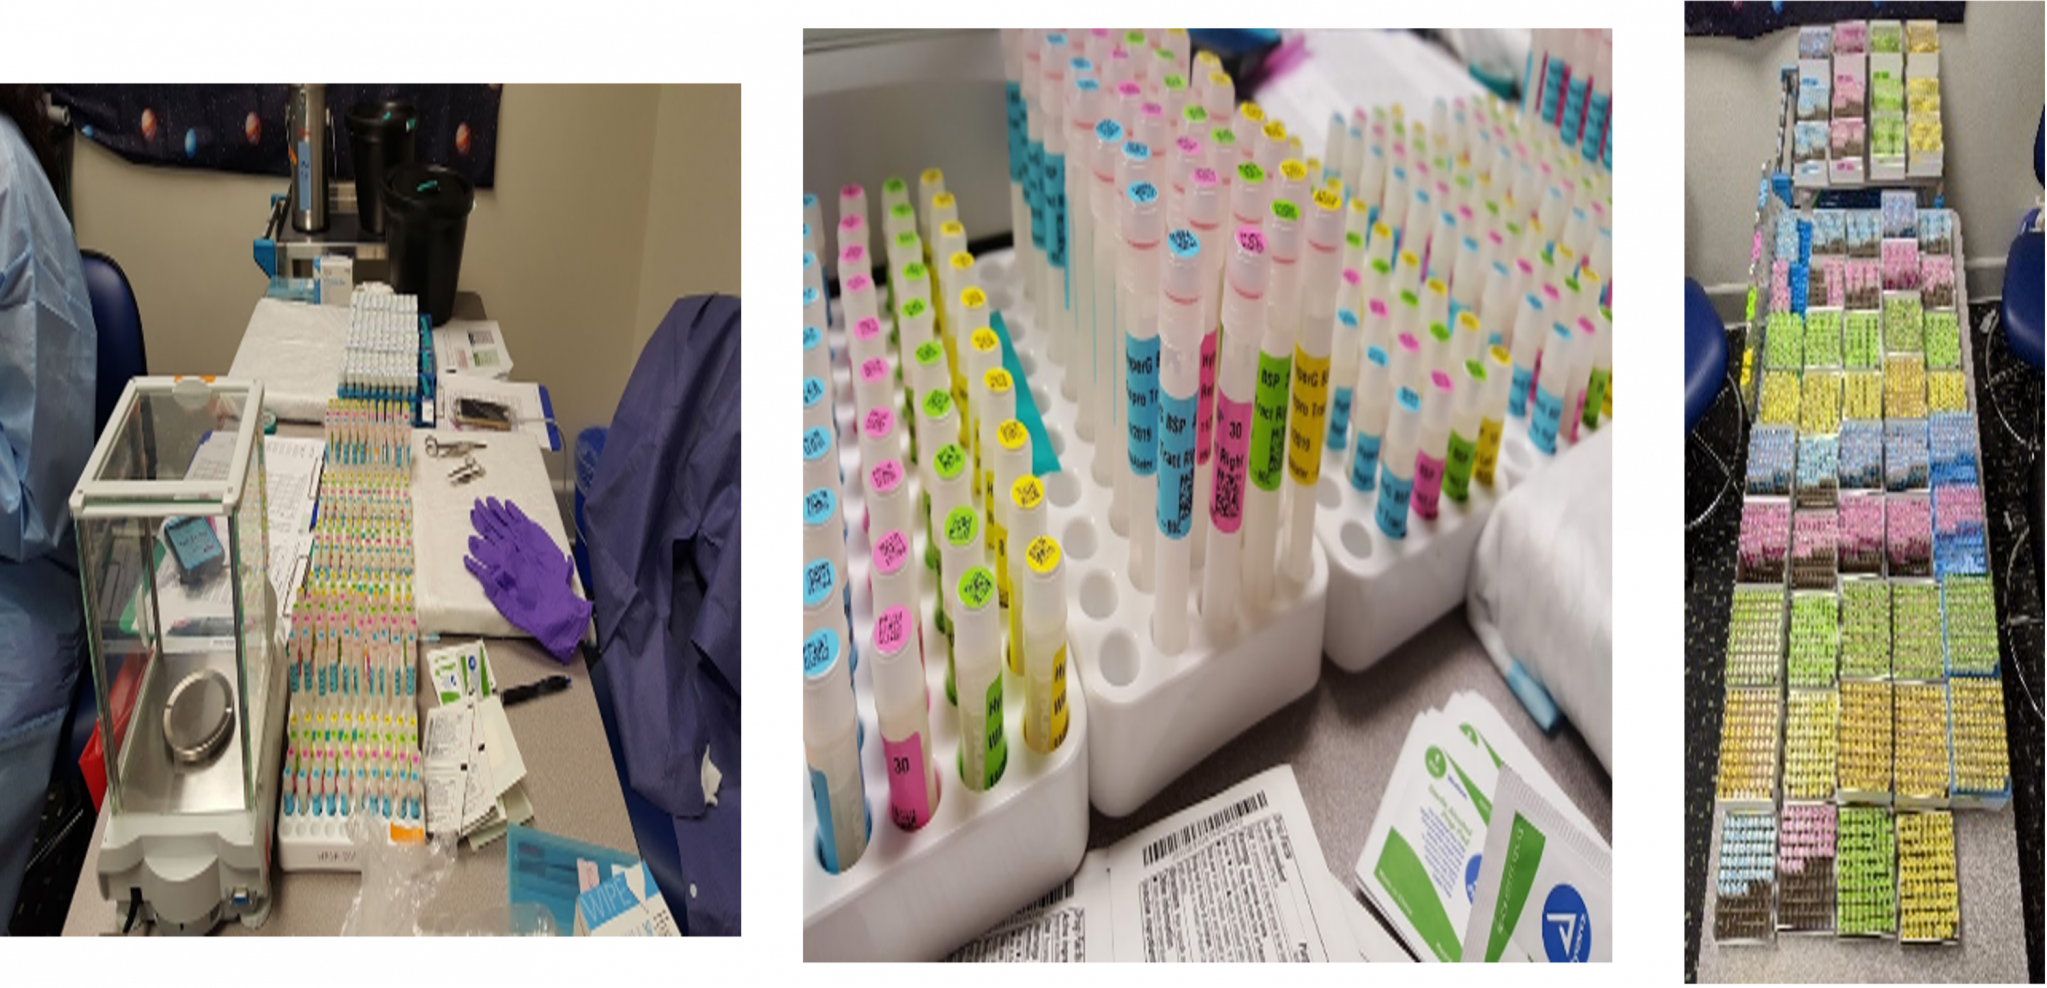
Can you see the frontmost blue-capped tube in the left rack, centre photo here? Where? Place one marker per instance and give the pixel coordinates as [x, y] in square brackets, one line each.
[832, 754]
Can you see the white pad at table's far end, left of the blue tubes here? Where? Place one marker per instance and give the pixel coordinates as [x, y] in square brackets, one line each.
[296, 351]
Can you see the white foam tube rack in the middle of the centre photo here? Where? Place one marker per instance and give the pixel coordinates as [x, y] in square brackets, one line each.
[1153, 717]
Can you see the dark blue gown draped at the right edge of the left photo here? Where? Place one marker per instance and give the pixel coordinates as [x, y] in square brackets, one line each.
[664, 557]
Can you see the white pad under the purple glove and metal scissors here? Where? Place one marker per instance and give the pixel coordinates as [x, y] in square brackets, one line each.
[449, 596]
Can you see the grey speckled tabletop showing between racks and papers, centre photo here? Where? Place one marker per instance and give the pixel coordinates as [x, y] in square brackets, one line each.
[1344, 737]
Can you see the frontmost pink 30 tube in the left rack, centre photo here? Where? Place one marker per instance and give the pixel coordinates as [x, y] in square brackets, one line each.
[904, 711]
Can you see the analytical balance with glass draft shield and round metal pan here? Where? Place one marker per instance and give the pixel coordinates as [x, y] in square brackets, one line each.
[187, 676]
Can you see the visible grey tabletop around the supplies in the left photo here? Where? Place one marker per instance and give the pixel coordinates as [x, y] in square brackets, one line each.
[570, 778]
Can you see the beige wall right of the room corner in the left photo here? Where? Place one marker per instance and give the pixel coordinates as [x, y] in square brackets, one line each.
[693, 201]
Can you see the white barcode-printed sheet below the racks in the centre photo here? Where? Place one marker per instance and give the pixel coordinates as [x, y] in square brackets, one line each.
[1235, 879]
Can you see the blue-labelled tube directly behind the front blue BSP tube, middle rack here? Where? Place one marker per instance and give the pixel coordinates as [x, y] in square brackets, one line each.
[1143, 216]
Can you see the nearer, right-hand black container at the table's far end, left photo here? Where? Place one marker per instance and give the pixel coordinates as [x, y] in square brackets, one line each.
[427, 214]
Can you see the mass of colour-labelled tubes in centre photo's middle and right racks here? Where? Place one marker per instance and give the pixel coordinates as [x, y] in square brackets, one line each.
[1409, 390]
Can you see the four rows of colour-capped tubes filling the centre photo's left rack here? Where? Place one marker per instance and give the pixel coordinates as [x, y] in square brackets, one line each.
[998, 609]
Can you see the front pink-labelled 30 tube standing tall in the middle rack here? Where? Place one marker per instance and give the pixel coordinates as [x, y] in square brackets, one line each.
[1244, 318]
